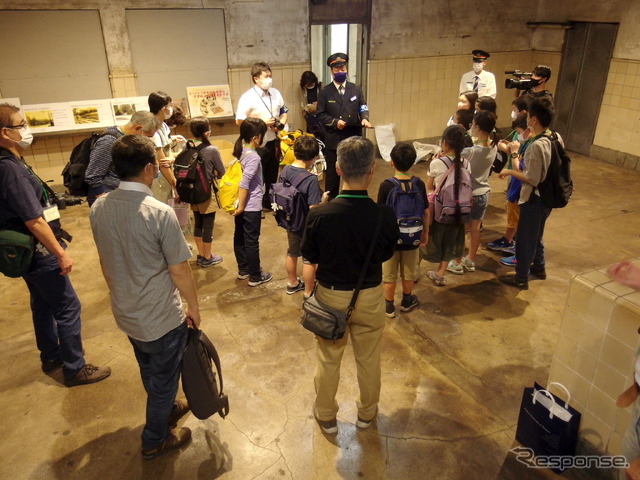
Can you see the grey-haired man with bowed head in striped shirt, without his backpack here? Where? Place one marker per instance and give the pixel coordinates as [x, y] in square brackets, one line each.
[100, 175]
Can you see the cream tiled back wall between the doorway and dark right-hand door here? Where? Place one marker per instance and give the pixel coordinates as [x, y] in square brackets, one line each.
[419, 95]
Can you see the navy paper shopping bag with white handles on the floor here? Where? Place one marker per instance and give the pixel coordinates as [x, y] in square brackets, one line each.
[547, 425]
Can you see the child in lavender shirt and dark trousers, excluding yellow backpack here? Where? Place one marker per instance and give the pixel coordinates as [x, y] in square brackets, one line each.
[248, 212]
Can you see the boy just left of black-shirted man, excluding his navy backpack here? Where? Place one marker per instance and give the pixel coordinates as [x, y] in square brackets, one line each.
[306, 151]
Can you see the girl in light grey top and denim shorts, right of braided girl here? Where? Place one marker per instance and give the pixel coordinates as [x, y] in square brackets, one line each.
[480, 157]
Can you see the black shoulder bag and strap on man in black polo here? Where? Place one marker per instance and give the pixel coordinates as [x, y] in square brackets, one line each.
[328, 322]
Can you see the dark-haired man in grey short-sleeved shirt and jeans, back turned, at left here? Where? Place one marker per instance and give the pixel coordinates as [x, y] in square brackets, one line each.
[144, 259]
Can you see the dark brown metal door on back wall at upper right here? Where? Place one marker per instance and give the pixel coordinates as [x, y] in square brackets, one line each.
[586, 55]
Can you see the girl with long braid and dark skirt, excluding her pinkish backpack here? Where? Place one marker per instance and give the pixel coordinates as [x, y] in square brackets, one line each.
[446, 241]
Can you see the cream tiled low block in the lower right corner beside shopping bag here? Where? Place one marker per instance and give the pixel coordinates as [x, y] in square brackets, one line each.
[595, 353]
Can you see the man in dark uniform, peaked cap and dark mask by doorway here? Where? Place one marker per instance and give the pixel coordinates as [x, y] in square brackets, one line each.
[343, 111]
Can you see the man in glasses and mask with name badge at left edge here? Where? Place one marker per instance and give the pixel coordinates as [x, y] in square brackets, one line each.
[27, 205]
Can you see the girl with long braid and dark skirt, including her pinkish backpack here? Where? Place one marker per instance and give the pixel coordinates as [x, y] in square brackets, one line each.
[446, 234]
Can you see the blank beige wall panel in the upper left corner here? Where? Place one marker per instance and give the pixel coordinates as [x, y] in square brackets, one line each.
[53, 56]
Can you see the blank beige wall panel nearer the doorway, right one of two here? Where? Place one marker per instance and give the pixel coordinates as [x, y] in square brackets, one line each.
[173, 49]
